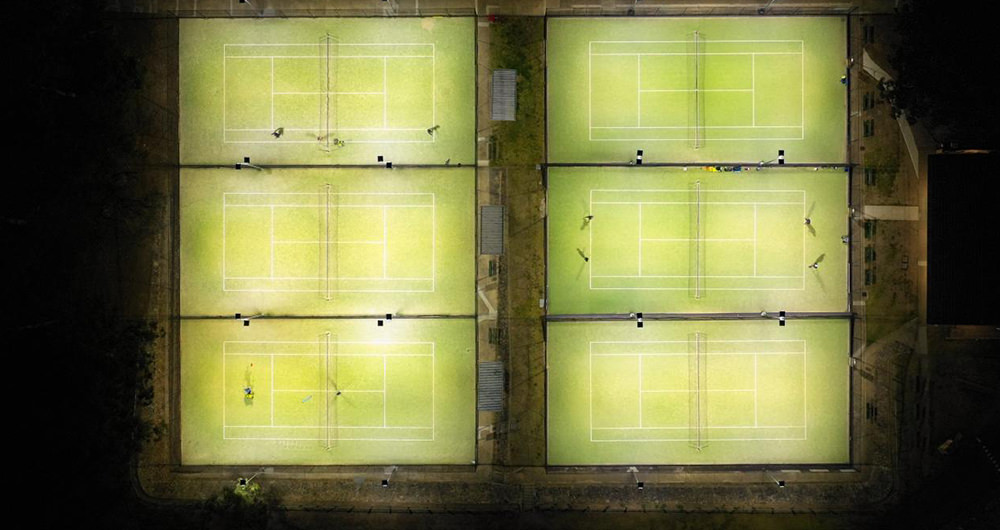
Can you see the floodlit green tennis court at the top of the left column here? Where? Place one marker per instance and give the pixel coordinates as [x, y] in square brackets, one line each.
[377, 84]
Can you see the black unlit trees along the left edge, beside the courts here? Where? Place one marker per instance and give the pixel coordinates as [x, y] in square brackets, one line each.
[72, 211]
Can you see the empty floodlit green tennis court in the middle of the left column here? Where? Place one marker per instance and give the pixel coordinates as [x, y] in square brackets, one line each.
[327, 241]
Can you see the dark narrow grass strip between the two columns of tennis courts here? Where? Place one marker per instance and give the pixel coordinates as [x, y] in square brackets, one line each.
[518, 43]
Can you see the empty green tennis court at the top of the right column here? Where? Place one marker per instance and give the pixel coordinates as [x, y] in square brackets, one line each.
[696, 89]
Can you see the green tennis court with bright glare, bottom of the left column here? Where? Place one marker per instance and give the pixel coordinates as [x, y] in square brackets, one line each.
[328, 392]
